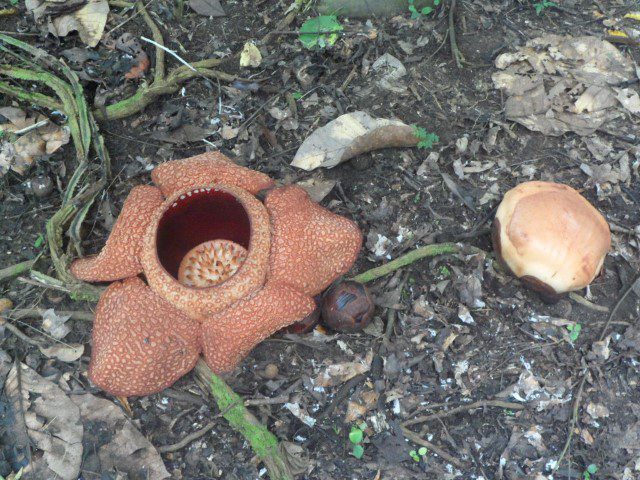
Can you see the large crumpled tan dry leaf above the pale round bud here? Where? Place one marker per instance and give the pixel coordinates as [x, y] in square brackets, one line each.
[557, 84]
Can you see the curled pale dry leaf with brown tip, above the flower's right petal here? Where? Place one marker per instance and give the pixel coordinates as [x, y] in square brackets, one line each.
[350, 135]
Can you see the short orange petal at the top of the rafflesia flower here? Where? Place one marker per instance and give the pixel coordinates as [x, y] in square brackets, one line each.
[206, 169]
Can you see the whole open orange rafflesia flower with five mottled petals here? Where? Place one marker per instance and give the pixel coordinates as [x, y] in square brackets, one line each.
[223, 270]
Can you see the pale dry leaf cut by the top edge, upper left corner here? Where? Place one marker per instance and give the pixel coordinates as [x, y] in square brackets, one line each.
[89, 20]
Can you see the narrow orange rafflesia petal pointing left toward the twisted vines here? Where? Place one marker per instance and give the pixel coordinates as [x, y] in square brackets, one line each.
[120, 257]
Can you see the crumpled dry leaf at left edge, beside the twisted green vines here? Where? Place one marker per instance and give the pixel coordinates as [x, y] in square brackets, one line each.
[17, 153]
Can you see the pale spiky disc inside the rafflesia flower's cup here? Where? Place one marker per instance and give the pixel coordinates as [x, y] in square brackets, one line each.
[210, 263]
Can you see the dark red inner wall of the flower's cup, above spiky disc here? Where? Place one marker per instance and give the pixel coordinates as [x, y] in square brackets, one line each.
[196, 219]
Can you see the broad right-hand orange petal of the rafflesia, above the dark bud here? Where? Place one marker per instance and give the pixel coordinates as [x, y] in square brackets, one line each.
[310, 246]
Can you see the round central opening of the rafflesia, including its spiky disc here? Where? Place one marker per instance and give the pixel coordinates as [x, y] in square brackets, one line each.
[203, 237]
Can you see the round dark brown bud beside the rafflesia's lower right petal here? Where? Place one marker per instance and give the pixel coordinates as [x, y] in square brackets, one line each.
[347, 307]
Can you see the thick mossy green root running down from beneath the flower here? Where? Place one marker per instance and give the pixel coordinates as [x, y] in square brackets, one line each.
[262, 441]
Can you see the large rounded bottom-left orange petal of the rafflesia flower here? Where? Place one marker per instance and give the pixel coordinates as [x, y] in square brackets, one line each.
[141, 344]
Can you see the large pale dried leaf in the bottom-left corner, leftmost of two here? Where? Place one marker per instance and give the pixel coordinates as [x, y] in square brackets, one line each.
[52, 423]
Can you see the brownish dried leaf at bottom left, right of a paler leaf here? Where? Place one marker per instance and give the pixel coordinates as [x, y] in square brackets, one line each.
[114, 442]
